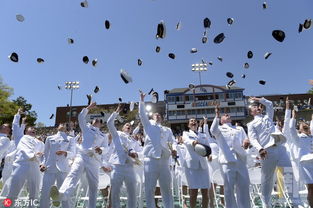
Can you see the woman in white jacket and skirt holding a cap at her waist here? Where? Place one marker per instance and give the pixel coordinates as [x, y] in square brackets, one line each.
[196, 166]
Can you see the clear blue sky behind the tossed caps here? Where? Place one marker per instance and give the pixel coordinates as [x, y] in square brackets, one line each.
[49, 23]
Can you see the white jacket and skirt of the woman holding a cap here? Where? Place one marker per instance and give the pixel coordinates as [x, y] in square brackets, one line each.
[196, 166]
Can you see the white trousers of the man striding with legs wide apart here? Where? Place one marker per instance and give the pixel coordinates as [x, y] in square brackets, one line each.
[82, 163]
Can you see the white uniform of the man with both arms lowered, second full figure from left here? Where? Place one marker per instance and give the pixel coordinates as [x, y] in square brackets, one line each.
[57, 165]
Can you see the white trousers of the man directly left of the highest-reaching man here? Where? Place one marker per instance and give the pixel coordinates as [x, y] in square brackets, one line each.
[126, 174]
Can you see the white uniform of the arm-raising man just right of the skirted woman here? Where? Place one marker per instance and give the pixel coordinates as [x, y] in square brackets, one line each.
[233, 158]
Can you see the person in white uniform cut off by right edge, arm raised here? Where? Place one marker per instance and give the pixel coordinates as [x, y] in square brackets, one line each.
[304, 141]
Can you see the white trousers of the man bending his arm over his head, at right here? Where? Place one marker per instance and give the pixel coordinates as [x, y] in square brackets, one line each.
[276, 156]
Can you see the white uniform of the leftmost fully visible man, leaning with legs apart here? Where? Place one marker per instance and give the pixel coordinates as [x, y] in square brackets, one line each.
[26, 168]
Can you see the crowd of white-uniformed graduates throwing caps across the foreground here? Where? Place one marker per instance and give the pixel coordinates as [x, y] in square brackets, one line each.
[52, 168]
